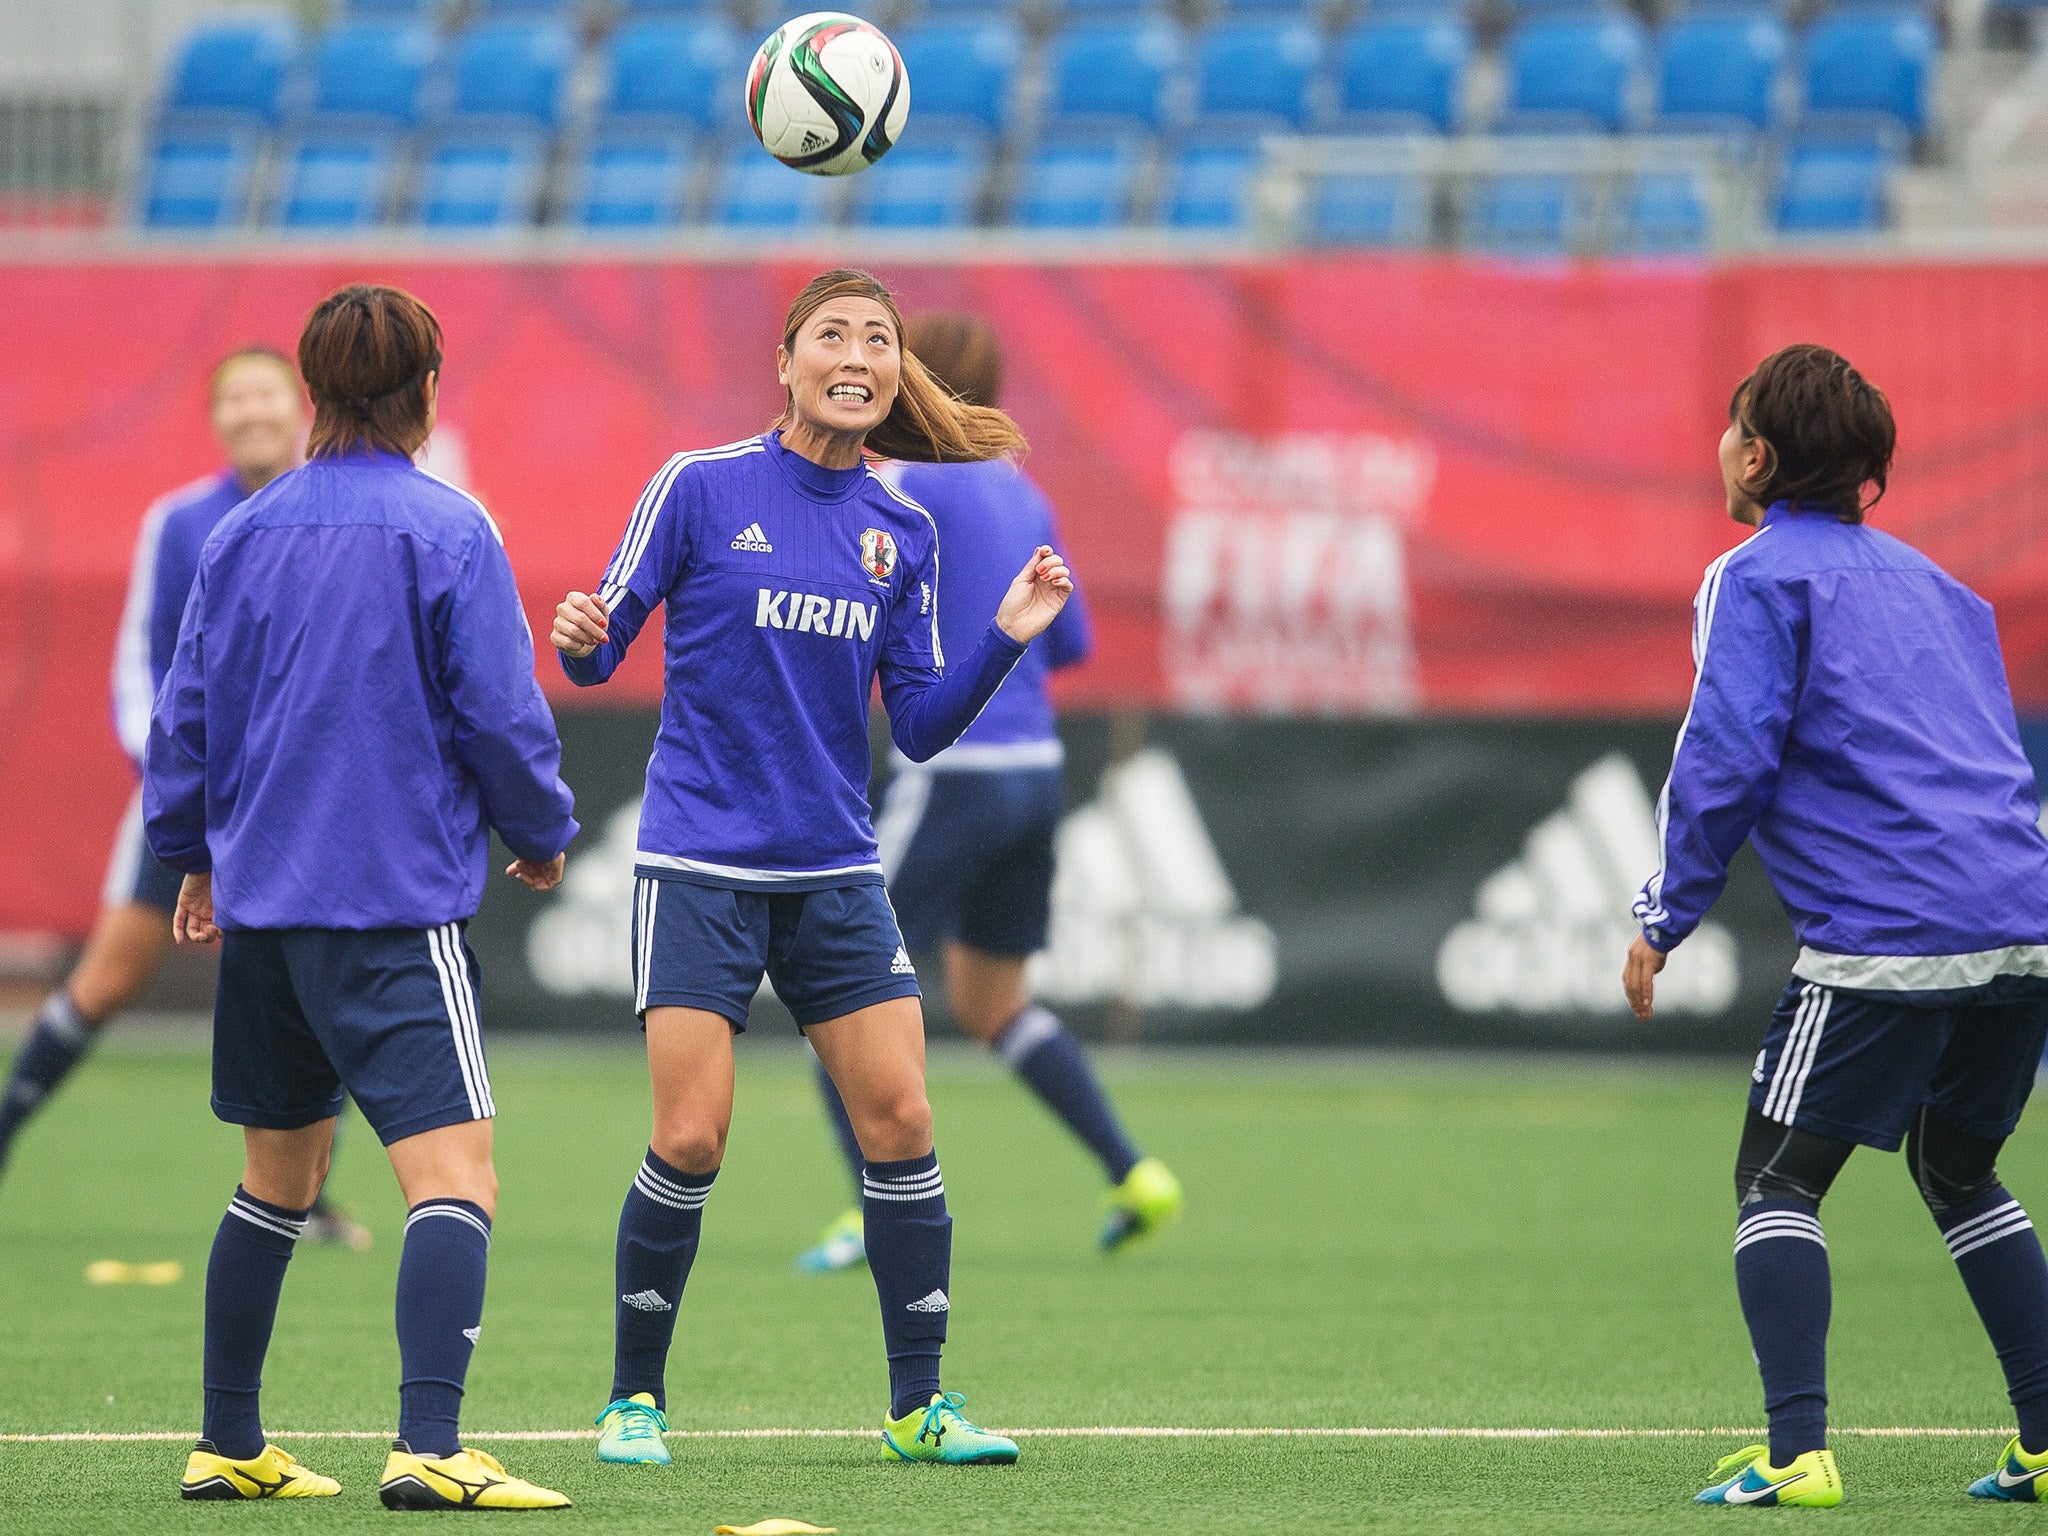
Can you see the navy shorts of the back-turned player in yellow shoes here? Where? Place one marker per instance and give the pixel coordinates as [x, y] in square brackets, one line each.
[388, 1015]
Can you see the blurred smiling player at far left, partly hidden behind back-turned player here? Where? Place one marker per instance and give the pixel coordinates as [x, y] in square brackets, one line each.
[259, 417]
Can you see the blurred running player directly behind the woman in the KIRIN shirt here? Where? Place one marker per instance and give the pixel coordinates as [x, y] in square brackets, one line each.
[968, 839]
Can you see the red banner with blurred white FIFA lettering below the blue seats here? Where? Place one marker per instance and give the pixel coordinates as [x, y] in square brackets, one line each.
[1293, 486]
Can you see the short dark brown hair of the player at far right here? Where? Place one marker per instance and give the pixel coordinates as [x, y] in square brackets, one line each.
[1828, 431]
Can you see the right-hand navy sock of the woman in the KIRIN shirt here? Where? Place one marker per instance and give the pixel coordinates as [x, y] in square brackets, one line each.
[910, 1254]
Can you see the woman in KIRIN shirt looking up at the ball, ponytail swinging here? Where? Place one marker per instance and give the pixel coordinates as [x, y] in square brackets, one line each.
[794, 577]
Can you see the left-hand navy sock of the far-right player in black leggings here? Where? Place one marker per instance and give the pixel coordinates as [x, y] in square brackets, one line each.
[1781, 1273]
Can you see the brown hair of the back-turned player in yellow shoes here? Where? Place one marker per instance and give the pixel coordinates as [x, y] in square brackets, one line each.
[366, 357]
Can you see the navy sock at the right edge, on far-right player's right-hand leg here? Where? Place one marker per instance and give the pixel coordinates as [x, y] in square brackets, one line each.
[2002, 1265]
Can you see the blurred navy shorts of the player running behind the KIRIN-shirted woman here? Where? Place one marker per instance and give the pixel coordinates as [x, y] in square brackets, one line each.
[970, 855]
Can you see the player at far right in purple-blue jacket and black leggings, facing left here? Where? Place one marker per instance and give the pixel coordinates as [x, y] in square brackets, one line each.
[1852, 718]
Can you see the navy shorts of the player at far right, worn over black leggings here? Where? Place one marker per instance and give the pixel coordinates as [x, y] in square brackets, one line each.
[1861, 1068]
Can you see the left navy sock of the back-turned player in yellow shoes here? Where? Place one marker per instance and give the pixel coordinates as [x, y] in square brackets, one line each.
[245, 1277]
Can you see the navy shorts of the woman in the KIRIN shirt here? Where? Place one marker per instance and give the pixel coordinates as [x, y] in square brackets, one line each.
[828, 953]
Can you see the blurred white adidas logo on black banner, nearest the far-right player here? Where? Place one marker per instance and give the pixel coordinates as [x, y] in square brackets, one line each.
[1551, 929]
